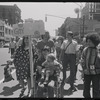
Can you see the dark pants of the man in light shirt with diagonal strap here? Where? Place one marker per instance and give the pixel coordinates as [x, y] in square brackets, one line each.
[69, 59]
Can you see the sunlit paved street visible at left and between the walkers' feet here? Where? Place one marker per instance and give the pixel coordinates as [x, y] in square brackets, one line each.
[12, 90]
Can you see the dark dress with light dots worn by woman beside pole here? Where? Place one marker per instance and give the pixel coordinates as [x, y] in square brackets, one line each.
[22, 64]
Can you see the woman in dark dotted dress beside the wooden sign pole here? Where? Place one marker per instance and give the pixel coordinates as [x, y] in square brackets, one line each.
[22, 64]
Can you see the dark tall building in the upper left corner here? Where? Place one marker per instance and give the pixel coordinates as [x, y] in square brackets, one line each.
[10, 14]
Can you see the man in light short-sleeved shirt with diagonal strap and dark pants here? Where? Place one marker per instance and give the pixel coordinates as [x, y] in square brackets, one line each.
[68, 57]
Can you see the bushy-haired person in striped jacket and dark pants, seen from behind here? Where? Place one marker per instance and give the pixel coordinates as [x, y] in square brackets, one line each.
[91, 66]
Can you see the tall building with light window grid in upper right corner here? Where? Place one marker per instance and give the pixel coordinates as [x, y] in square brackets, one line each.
[91, 11]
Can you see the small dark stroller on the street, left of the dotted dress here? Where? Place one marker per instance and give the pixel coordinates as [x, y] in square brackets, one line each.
[7, 71]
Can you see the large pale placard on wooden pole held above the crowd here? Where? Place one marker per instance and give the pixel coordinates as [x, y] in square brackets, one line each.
[35, 28]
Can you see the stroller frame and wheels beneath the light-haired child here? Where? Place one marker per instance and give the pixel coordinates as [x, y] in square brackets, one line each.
[44, 91]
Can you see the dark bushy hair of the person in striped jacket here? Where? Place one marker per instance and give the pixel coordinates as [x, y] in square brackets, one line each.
[94, 37]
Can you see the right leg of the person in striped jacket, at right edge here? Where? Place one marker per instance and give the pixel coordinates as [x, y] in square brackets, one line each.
[95, 82]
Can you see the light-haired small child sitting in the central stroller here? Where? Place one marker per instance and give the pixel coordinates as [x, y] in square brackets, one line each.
[50, 67]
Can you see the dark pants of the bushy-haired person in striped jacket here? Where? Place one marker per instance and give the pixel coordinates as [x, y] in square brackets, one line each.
[95, 85]
